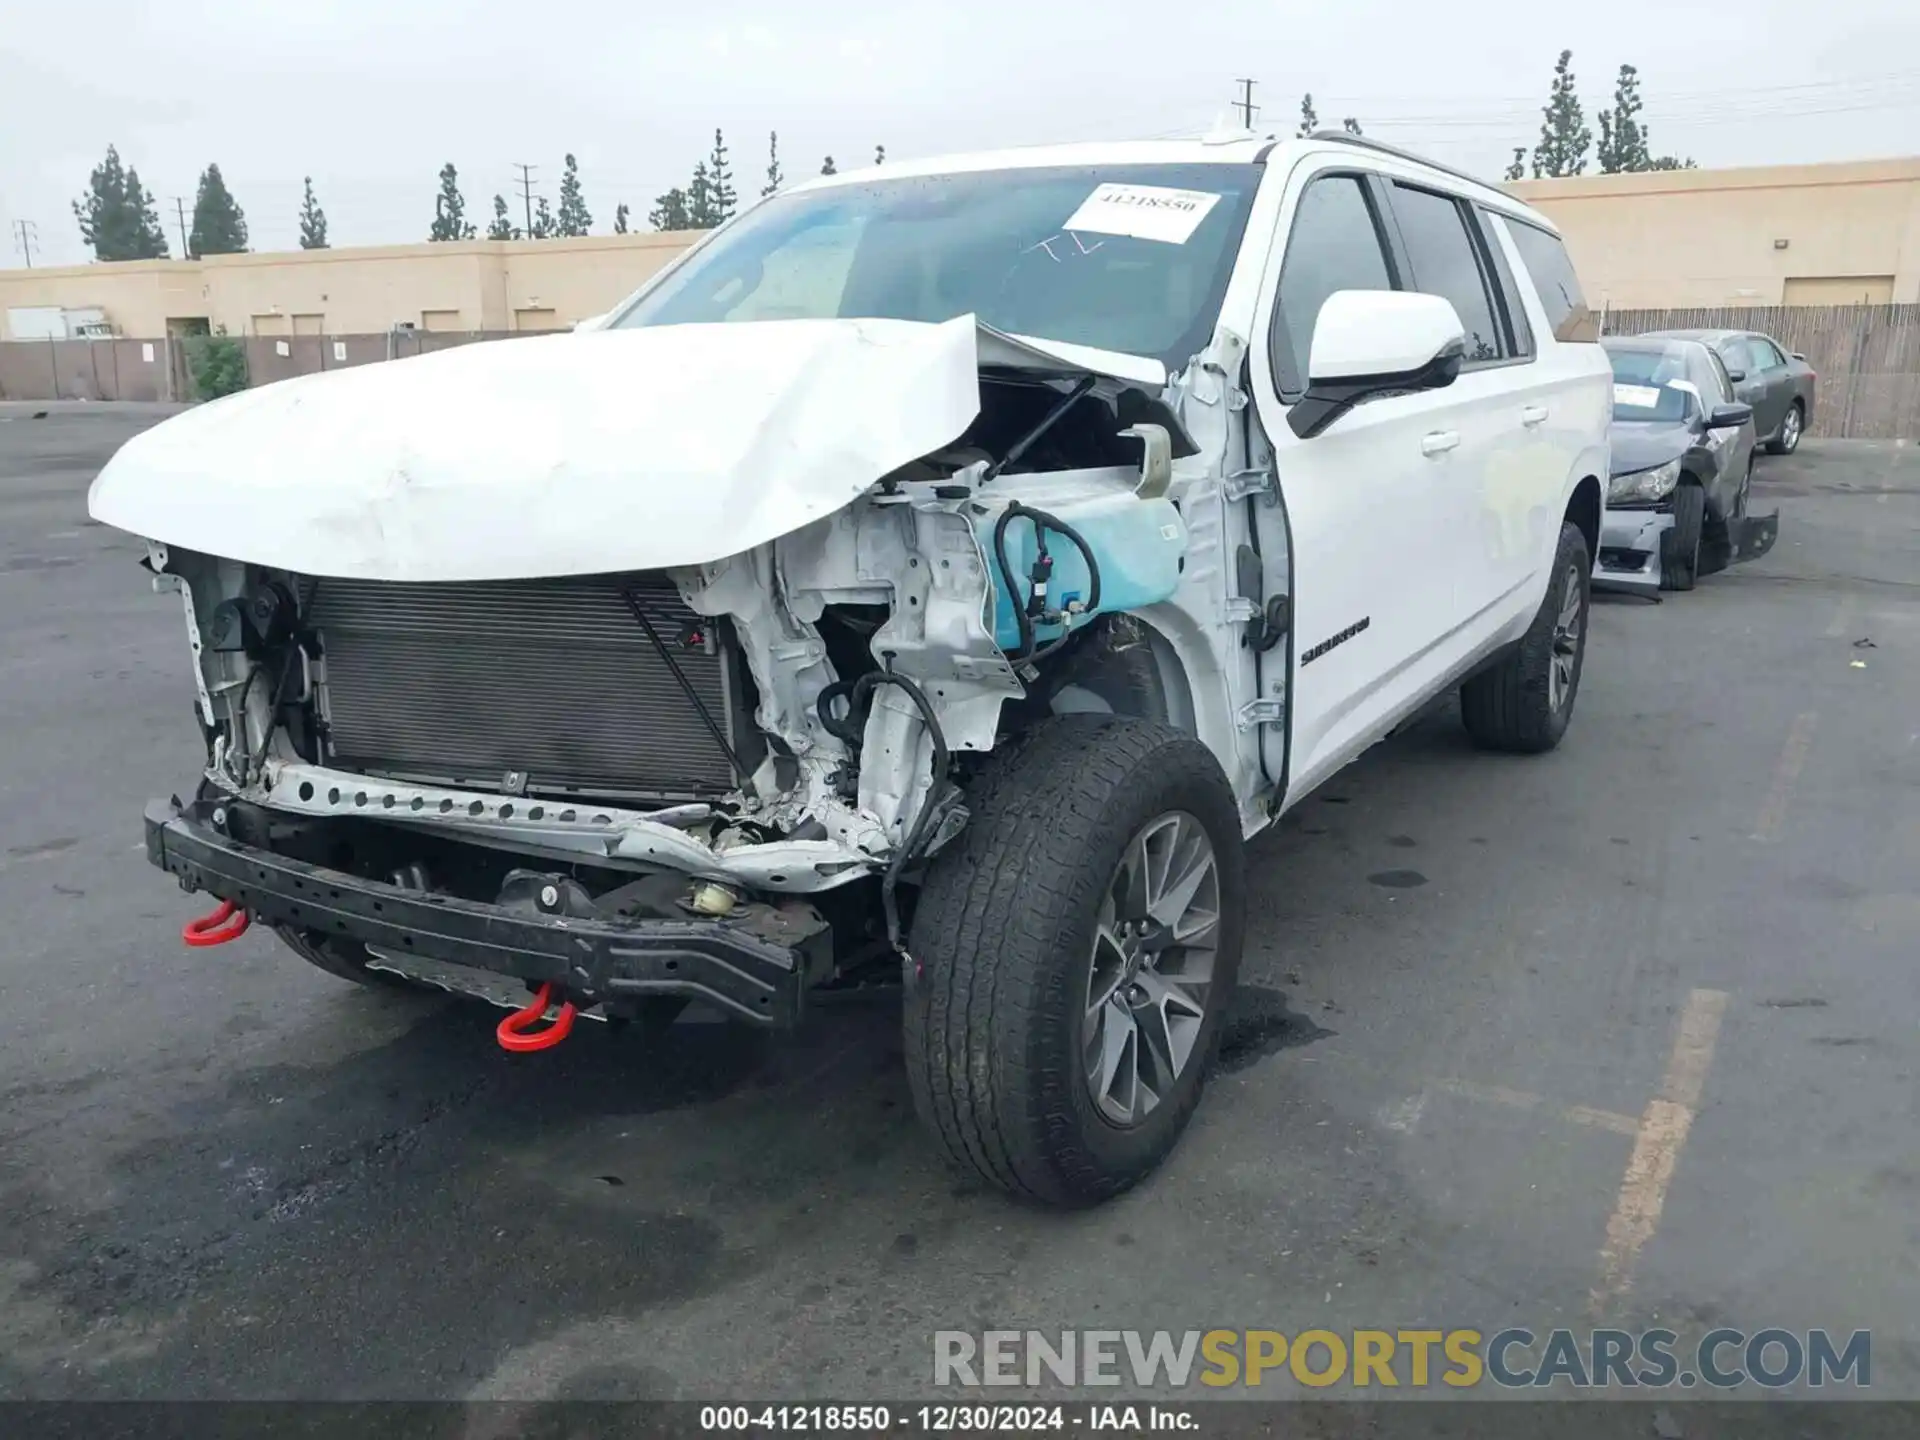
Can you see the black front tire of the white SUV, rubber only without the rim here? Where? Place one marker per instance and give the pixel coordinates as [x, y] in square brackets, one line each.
[1003, 955]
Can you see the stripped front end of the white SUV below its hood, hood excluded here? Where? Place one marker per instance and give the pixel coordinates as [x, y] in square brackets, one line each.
[690, 780]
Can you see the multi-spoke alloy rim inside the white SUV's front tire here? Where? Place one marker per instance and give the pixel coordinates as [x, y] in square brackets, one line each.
[1153, 967]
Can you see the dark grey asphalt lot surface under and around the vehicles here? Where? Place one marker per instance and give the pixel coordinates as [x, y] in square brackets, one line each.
[1625, 1032]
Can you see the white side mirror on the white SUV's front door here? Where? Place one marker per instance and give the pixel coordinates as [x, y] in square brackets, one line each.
[1376, 343]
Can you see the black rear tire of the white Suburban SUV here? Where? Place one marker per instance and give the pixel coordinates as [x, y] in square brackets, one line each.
[1518, 706]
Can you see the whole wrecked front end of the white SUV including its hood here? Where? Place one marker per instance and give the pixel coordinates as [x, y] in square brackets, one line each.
[679, 750]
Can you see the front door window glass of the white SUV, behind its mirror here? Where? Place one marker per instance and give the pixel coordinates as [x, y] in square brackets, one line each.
[1335, 245]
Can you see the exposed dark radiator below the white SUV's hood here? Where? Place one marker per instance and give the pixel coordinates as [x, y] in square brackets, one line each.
[546, 679]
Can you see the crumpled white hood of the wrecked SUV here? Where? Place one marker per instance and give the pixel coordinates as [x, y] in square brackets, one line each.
[569, 454]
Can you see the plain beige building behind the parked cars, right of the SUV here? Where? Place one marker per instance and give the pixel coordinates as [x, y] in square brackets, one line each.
[1781, 235]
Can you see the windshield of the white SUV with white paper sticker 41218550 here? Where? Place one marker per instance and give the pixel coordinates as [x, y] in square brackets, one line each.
[1130, 258]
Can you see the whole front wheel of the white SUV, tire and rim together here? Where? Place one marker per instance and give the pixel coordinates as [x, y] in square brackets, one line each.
[1072, 959]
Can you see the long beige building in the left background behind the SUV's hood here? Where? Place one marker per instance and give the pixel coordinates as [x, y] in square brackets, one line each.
[452, 287]
